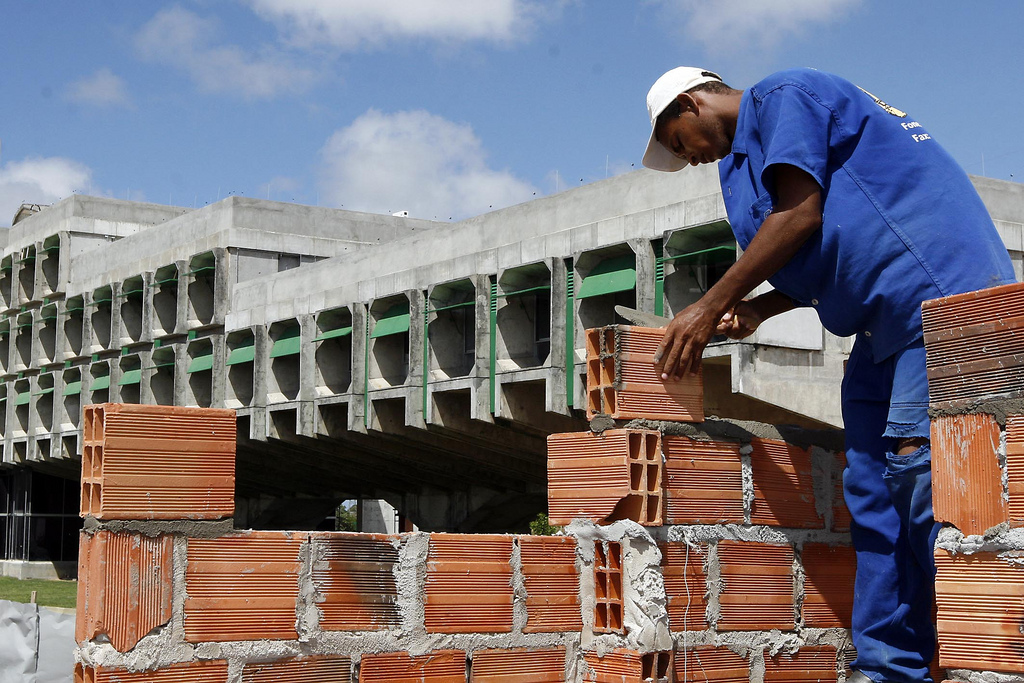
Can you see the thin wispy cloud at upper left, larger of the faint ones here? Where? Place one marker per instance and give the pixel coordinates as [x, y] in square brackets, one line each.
[183, 39]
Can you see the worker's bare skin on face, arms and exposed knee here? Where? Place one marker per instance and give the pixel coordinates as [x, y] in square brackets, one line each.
[701, 135]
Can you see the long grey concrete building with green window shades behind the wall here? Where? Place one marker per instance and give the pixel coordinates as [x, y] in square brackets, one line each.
[372, 358]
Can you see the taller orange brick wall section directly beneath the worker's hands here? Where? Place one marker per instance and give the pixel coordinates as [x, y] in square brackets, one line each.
[711, 549]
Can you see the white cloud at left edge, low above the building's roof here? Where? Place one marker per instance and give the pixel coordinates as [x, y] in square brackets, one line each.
[39, 181]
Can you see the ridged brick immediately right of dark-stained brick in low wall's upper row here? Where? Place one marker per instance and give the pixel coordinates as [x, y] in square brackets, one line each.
[468, 586]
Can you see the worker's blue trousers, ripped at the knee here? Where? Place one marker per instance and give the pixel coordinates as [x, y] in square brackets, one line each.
[890, 500]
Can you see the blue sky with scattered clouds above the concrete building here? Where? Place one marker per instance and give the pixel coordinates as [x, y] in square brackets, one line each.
[446, 108]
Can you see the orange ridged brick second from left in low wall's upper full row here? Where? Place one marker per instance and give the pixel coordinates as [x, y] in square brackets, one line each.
[243, 587]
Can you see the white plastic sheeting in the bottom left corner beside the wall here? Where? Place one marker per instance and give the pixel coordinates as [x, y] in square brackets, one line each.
[37, 646]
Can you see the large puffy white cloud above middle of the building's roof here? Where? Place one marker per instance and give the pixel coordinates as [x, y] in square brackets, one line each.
[415, 162]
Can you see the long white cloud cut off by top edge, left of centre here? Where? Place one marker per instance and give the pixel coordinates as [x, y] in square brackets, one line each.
[355, 24]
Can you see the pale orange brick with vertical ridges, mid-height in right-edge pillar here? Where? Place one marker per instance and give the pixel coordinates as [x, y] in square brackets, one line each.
[967, 480]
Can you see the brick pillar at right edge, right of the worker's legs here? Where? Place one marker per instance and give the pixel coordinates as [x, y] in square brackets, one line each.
[975, 344]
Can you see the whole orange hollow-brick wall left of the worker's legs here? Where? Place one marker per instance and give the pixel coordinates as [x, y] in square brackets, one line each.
[708, 550]
